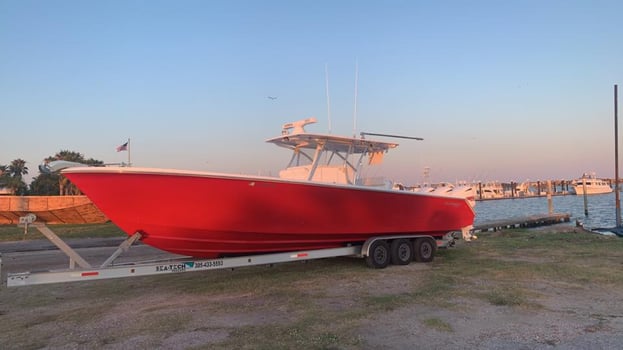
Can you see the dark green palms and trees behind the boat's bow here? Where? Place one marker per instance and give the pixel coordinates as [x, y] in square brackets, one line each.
[45, 184]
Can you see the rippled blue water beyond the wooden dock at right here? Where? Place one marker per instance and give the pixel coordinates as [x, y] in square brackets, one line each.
[601, 209]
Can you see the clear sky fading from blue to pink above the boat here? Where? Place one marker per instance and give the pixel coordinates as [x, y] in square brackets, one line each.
[499, 90]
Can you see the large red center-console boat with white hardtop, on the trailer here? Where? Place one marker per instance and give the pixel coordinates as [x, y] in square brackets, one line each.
[320, 200]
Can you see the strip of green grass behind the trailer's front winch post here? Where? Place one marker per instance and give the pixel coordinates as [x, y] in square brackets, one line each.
[14, 233]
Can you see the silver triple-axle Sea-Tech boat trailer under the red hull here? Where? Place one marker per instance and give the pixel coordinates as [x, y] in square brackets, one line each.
[379, 252]
